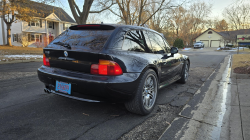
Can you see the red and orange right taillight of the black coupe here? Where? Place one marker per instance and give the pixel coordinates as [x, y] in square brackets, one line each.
[106, 67]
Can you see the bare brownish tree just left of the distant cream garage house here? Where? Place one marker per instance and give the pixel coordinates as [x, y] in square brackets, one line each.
[188, 22]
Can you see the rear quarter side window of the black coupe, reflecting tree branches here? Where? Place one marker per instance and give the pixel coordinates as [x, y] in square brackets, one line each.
[137, 41]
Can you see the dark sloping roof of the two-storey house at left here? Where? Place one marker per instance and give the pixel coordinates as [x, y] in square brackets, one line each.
[44, 10]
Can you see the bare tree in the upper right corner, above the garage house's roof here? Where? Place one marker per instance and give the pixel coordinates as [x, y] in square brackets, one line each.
[238, 16]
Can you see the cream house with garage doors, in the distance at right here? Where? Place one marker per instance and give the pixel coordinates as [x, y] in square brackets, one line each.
[214, 38]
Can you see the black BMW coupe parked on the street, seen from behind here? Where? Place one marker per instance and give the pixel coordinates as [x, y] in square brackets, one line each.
[117, 63]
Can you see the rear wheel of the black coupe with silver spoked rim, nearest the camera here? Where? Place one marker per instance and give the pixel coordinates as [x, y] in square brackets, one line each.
[144, 100]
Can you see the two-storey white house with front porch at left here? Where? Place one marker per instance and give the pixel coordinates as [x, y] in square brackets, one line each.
[42, 30]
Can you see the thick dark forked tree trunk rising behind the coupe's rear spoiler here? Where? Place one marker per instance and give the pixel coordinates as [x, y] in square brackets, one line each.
[82, 16]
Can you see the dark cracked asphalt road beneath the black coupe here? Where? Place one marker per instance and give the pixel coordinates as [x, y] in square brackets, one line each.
[26, 112]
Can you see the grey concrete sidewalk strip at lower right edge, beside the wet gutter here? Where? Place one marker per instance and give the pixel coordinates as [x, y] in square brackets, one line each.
[239, 124]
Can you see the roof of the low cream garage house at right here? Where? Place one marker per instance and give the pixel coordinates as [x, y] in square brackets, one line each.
[227, 34]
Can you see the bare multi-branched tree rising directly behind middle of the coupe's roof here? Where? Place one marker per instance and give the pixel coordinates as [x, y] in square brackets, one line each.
[139, 12]
